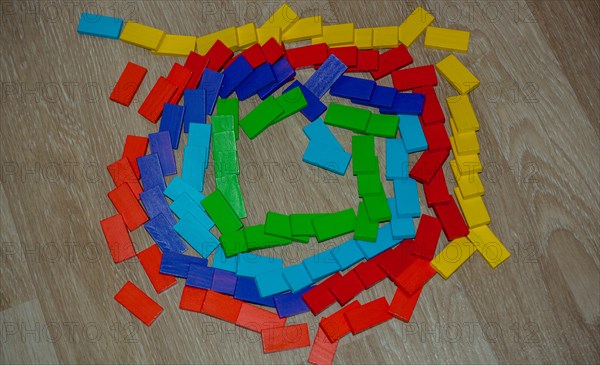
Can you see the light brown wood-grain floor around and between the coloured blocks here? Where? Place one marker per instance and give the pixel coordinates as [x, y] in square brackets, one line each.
[539, 71]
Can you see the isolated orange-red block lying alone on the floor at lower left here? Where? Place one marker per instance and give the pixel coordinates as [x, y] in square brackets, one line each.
[138, 303]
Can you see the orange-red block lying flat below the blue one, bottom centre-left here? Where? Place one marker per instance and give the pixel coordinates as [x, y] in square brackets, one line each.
[285, 338]
